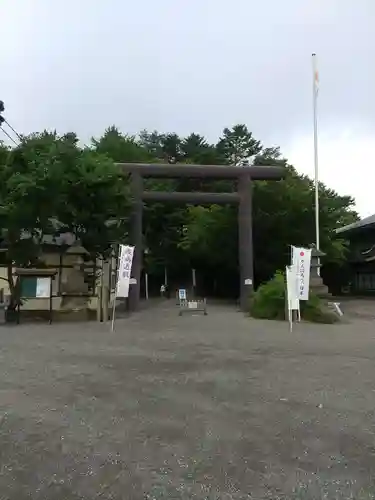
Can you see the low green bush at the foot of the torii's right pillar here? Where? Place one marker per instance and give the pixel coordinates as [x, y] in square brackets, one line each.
[268, 302]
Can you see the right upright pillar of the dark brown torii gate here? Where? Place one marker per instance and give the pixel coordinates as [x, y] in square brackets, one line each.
[245, 240]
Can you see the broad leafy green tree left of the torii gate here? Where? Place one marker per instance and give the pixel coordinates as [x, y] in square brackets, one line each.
[49, 186]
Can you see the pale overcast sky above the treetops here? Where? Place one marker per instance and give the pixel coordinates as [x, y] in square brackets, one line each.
[200, 65]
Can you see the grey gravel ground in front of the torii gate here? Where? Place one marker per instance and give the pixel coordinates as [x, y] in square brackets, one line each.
[192, 407]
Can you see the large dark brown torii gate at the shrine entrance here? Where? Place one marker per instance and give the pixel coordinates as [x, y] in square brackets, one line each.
[244, 176]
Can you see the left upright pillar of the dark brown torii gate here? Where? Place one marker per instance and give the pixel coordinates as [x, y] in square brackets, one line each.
[136, 239]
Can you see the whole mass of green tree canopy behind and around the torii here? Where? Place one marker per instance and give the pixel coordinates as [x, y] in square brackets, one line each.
[50, 184]
